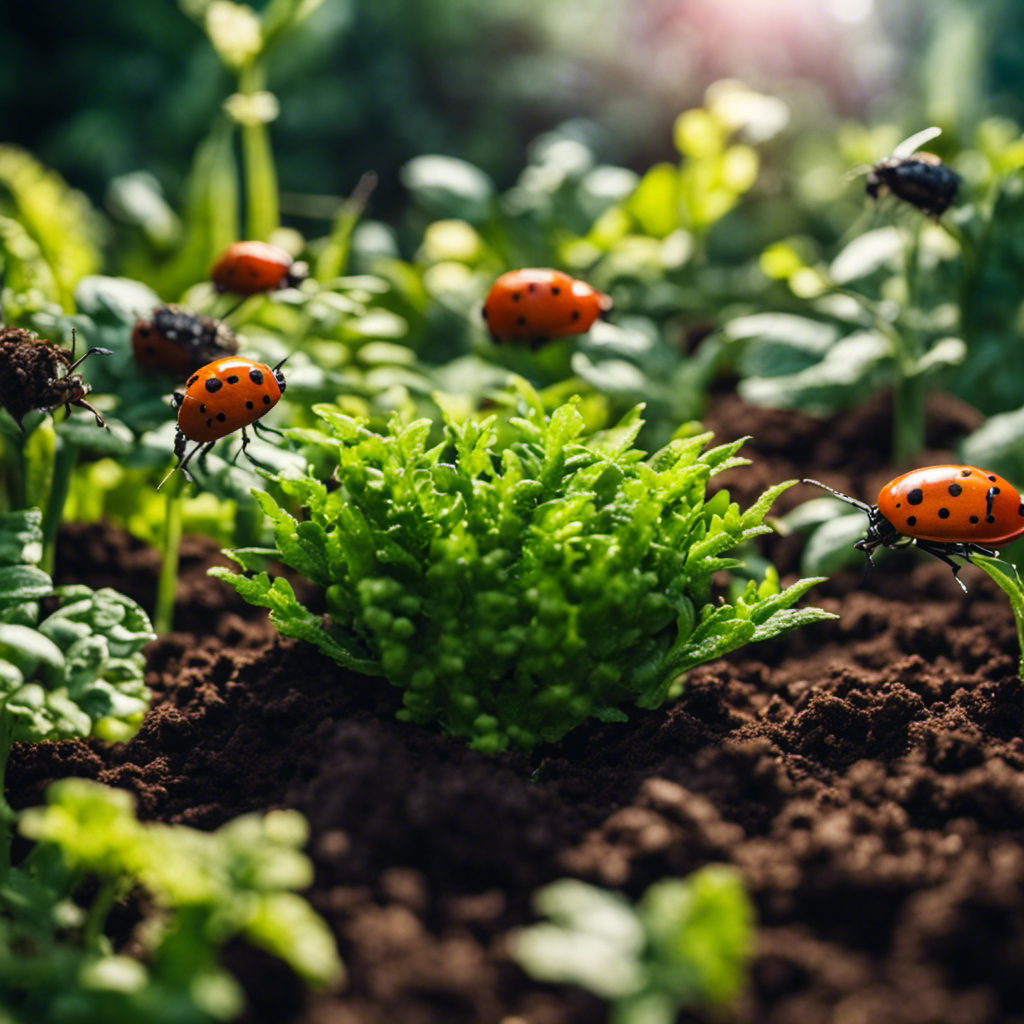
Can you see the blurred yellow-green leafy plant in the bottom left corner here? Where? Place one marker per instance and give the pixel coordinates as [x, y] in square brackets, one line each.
[203, 889]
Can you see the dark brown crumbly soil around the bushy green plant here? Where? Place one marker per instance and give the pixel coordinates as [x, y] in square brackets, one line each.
[867, 776]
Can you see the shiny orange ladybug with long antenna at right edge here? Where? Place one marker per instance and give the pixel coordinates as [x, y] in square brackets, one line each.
[946, 510]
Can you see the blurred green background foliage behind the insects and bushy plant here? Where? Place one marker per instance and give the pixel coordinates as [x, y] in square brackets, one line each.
[699, 160]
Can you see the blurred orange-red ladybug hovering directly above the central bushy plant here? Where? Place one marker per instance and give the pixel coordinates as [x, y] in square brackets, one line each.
[536, 305]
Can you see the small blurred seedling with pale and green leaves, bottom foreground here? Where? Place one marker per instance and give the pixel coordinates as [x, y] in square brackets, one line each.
[686, 944]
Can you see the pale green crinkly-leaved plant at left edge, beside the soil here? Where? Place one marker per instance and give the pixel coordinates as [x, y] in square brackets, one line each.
[70, 668]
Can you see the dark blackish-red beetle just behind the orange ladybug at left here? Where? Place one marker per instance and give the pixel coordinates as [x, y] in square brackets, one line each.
[180, 342]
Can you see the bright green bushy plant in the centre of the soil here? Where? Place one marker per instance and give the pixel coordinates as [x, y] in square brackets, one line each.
[515, 593]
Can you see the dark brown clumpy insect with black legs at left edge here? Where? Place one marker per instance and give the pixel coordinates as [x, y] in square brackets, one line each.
[37, 374]
